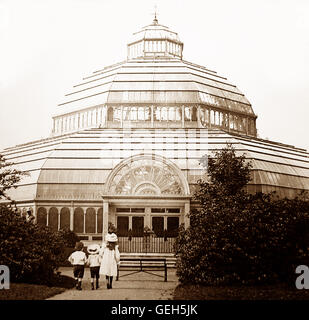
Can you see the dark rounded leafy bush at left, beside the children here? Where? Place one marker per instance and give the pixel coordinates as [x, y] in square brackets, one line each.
[32, 252]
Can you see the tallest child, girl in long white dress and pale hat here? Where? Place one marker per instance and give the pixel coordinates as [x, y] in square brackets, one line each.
[110, 258]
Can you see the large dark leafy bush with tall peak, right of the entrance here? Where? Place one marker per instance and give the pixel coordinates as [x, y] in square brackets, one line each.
[238, 238]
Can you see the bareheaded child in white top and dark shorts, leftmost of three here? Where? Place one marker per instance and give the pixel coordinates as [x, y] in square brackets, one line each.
[78, 259]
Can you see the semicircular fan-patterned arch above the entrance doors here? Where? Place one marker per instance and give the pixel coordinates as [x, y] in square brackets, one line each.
[147, 174]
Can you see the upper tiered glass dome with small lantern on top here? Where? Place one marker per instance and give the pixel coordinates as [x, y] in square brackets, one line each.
[155, 87]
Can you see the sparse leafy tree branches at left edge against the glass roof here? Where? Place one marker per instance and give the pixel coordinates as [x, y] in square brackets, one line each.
[8, 177]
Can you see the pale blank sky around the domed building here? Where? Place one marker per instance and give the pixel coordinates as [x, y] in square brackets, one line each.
[47, 46]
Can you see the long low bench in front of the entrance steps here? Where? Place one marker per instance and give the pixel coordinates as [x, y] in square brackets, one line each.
[143, 265]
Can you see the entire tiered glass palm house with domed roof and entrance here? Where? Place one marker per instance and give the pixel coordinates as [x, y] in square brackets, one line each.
[127, 141]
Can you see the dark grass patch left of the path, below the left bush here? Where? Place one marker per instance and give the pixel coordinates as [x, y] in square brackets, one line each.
[26, 291]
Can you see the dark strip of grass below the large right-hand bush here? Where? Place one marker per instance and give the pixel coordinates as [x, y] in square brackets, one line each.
[275, 292]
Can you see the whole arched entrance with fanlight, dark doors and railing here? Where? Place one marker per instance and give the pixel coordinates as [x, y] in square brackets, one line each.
[146, 198]
